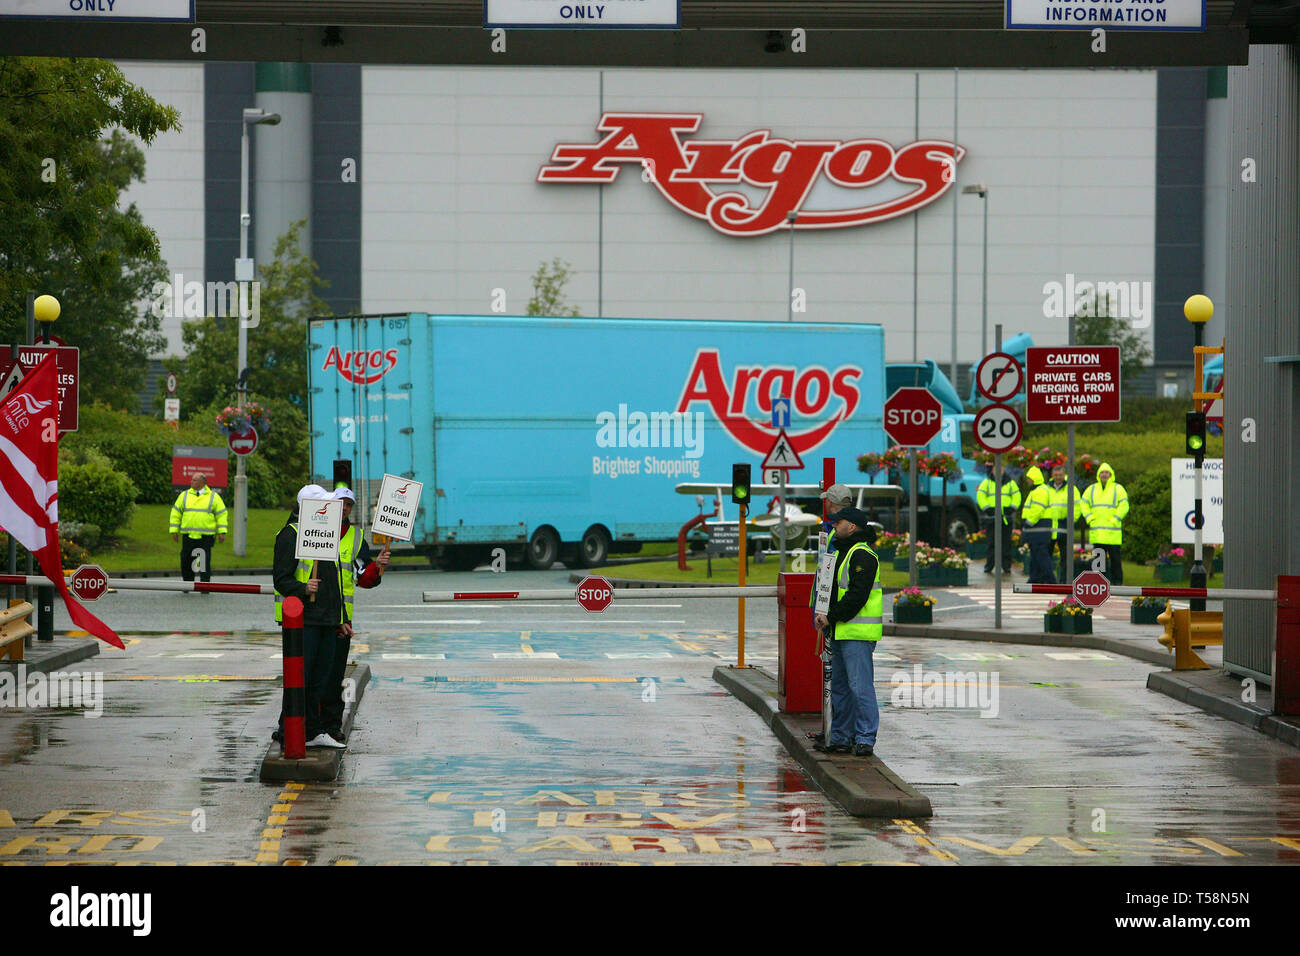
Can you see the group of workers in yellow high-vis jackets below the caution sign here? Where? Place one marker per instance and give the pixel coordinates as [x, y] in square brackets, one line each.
[1045, 518]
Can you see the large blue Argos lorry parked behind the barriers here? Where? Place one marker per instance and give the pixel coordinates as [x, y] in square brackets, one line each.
[566, 439]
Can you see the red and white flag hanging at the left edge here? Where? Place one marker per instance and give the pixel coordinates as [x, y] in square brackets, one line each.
[29, 482]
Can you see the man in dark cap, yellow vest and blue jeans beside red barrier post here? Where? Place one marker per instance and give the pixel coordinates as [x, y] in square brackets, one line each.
[856, 624]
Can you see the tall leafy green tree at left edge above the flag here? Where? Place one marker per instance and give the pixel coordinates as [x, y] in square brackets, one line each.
[67, 162]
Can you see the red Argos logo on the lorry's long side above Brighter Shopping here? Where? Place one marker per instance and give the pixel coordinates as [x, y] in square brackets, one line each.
[816, 391]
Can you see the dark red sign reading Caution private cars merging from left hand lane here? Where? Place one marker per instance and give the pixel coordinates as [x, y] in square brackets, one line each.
[1076, 384]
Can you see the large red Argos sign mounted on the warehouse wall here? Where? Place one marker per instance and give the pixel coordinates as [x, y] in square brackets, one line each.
[690, 174]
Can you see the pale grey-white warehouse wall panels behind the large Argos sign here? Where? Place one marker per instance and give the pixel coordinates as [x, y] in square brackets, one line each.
[452, 209]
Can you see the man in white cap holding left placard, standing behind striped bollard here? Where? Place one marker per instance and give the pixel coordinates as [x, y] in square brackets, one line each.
[319, 585]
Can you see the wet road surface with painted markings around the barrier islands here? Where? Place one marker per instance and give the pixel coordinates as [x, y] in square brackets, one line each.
[539, 734]
